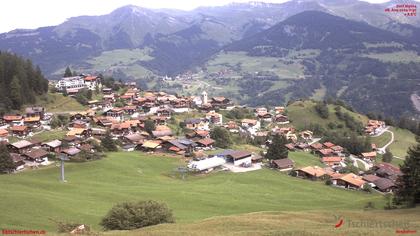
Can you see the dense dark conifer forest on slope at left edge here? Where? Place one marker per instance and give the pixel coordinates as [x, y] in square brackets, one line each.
[20, 82]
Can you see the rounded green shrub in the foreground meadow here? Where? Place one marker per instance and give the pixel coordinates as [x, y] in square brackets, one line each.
[134, 215]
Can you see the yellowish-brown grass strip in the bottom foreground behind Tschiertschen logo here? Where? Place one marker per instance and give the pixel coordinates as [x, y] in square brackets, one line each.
[320, 223]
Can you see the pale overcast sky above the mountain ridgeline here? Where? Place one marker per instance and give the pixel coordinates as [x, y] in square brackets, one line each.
[31, 14]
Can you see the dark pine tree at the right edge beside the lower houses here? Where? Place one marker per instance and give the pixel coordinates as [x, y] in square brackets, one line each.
[408, 184]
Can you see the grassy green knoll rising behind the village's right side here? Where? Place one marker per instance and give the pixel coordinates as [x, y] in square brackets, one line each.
[303, 113]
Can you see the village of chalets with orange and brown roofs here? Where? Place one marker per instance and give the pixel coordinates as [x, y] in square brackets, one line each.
[156, 122]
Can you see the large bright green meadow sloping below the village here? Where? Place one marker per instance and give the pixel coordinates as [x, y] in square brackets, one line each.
[33, 199]
